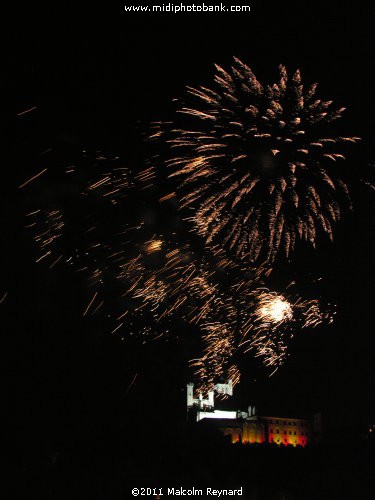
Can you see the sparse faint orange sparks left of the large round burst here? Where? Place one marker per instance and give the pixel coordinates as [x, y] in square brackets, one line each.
[73, 223]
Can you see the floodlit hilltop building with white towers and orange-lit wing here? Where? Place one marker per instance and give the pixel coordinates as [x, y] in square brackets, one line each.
[247, 427]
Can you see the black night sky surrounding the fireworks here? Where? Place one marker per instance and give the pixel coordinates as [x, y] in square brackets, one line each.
[97, 78]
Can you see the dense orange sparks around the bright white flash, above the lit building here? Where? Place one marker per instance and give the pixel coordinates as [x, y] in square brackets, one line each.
[234, 313]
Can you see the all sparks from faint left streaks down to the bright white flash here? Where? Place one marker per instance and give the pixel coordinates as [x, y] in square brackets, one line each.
[147, 283]
